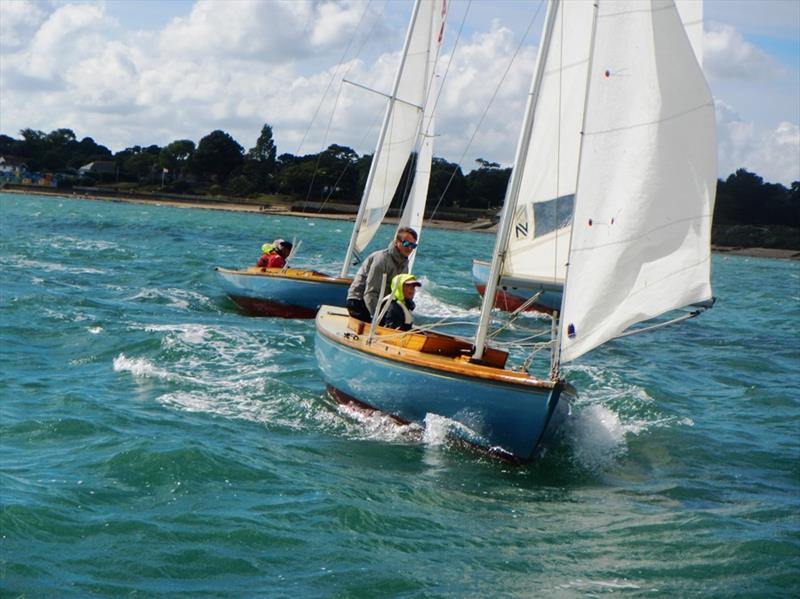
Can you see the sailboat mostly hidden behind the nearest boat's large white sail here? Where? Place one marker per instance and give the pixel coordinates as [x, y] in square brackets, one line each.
[535, 268]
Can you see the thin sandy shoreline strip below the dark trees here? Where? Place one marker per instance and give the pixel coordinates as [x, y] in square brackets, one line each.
[472, 227]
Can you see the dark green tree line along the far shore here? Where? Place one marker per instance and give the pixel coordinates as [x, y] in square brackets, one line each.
[218, 164]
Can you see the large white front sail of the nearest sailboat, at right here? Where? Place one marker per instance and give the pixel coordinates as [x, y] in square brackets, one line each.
[645, 195]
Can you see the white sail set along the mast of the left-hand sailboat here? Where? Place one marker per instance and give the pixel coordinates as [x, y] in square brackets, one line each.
[403, 119]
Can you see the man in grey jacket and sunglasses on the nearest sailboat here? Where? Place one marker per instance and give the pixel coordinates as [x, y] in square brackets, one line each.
[365, 291]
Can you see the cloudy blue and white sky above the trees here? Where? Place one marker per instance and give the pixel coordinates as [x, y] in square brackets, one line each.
[141, 72]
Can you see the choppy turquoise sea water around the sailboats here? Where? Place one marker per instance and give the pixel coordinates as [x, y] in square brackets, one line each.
[156, 442]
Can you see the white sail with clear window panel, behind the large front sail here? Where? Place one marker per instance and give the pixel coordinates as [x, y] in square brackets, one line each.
[539, 240]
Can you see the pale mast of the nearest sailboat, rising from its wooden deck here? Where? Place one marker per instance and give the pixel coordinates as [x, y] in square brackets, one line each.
[512, 191]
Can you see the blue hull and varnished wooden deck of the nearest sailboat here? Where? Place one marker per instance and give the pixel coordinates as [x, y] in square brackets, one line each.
[505, 412]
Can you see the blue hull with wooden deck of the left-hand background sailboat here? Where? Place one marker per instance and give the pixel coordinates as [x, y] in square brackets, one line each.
[288, 294]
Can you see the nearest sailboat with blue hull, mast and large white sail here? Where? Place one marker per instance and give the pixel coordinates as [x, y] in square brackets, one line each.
[638, 247]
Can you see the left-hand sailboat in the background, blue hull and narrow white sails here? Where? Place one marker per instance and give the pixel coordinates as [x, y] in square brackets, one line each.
[407, 127]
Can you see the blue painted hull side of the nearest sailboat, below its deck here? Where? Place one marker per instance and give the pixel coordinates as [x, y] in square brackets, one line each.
[513, 421]
